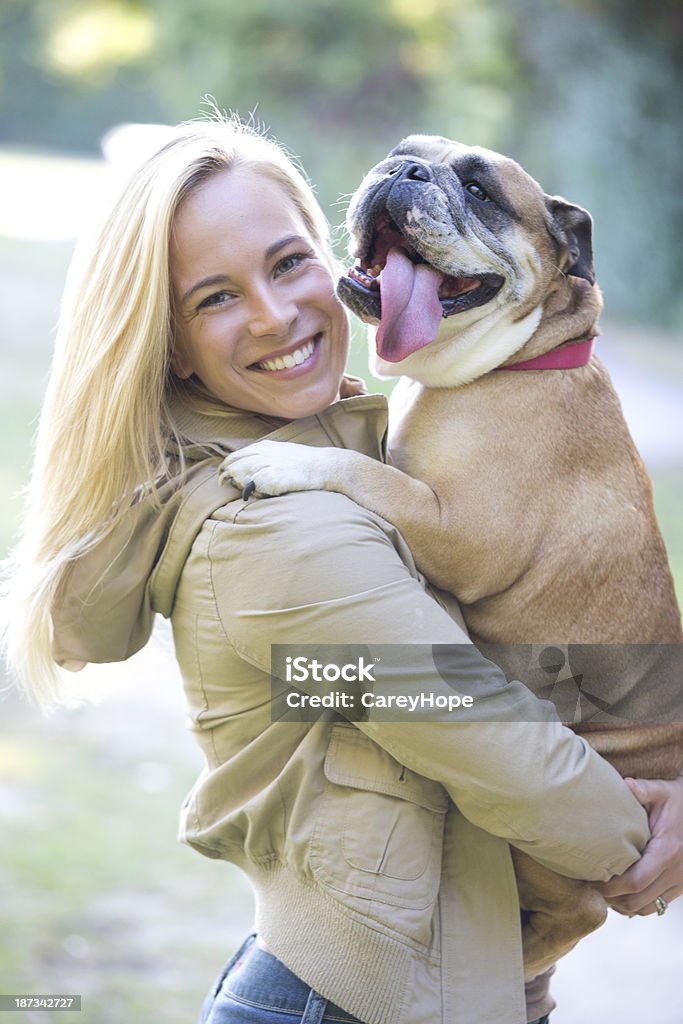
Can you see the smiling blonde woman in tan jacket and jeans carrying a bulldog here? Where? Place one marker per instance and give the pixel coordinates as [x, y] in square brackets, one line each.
[199, 318]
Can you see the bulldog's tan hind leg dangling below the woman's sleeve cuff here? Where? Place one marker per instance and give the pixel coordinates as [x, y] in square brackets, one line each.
[558, 913]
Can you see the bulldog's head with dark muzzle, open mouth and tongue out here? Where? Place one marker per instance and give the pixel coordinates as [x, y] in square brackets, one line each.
[457, 244]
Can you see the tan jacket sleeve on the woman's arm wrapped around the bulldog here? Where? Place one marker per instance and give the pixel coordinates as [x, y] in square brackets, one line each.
[315, 568]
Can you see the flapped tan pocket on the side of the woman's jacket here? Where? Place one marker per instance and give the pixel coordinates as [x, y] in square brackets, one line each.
[380, 832]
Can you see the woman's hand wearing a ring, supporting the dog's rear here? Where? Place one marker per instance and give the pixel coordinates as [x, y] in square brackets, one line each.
[660, 871]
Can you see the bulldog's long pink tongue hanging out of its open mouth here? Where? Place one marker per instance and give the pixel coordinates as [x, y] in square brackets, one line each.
[411, 311]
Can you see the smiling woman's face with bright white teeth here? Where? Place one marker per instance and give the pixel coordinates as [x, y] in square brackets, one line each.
[258, 319]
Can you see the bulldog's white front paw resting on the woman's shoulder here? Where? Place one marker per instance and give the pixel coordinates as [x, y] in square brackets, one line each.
[271, 468]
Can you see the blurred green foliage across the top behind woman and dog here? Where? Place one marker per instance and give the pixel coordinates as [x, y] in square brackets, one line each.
[586, 94]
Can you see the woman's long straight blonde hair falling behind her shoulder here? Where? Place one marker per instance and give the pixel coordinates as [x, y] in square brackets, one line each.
[107, 421]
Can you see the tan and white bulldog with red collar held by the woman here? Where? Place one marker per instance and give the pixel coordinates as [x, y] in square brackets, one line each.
[514, 476]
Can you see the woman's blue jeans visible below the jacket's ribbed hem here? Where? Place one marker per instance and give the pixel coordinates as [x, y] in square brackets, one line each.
[258, 989]
